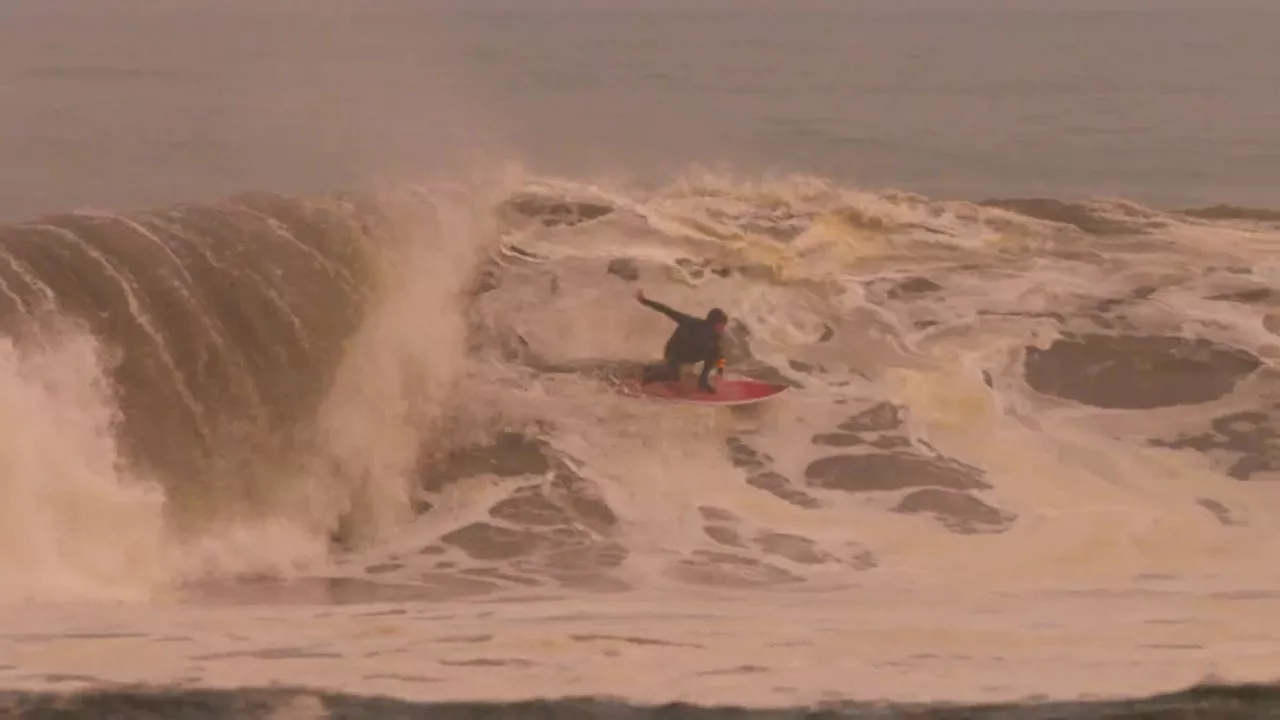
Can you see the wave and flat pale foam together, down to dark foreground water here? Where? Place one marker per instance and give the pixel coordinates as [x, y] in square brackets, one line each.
[374, 445]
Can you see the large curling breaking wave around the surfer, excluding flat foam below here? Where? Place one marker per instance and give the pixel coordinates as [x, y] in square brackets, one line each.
[410, 395]
